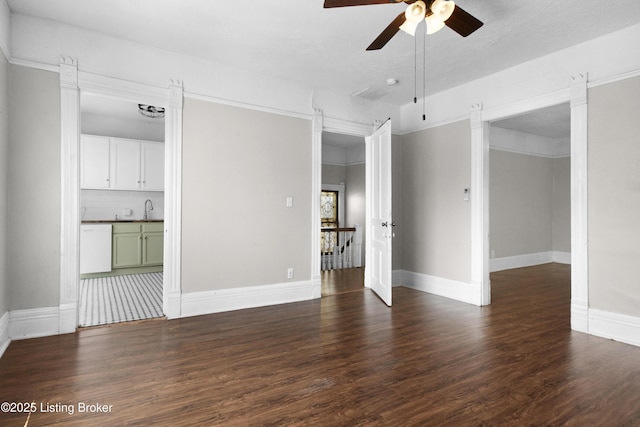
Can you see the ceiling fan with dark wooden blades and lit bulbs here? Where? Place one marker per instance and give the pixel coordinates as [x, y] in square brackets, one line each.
[436, 13]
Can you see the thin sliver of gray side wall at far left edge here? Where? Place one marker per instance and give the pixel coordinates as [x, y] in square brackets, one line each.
[4, 164]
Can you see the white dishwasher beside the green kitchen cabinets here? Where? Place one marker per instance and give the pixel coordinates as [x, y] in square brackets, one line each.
[95, 248]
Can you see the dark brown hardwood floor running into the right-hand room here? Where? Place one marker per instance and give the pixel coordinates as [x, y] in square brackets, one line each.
[344, 360]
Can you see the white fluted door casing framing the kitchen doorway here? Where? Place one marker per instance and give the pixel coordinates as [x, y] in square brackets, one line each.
[171, 99]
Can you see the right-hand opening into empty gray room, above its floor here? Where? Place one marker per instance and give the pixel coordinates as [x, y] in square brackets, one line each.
[530, 189]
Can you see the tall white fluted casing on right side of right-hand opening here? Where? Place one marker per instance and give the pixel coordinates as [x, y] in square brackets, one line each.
[579, 207]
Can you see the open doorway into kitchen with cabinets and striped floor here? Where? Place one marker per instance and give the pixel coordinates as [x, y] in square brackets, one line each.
[121, 210]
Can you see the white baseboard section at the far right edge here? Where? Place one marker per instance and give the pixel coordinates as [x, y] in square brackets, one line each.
[615, 326]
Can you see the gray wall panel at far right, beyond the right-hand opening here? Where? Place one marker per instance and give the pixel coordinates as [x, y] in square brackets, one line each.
[614, 197]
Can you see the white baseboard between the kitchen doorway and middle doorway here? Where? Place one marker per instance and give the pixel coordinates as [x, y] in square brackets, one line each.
[217, 301]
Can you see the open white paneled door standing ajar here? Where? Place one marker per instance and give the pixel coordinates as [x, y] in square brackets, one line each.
[379, 229]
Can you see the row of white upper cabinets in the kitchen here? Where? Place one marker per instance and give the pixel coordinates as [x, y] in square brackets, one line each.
[121, 164]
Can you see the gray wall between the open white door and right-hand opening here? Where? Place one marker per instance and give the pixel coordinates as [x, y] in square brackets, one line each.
[436, 221]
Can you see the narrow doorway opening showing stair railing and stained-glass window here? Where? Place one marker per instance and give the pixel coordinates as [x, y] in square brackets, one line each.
[342, 221]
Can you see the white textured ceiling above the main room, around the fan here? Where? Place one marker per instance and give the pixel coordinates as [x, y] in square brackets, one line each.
[301, 42]
